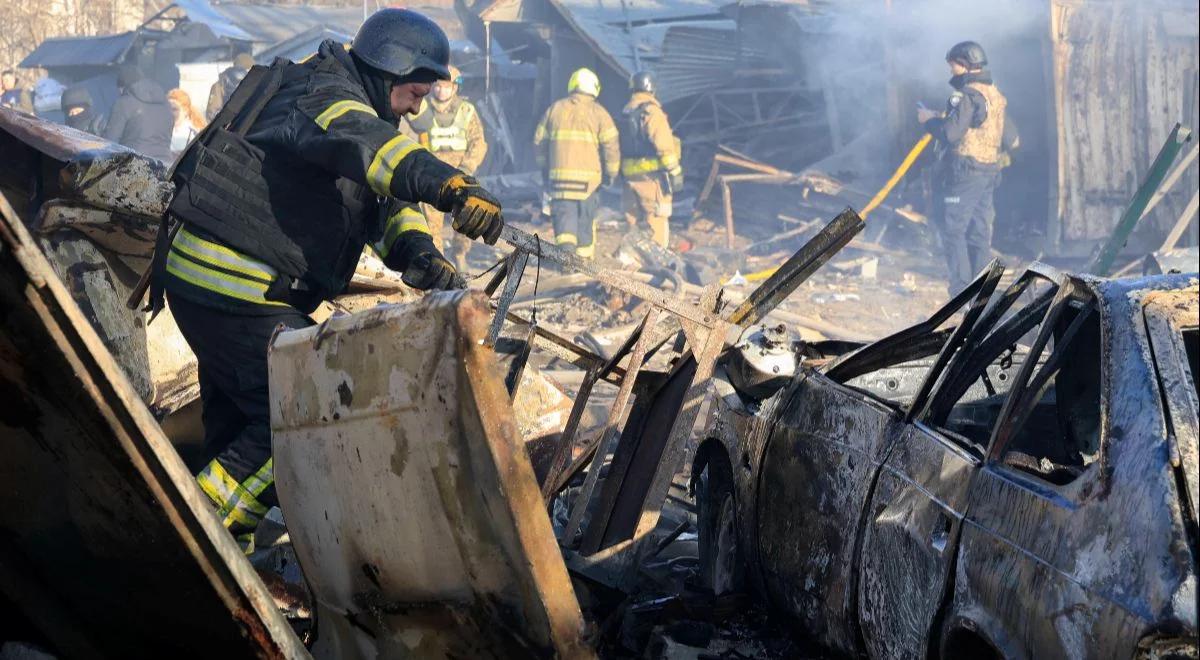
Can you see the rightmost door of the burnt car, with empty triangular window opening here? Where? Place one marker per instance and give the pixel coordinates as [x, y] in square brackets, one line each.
[1047, 559]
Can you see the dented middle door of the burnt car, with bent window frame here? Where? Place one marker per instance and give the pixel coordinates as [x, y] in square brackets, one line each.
[913, 525]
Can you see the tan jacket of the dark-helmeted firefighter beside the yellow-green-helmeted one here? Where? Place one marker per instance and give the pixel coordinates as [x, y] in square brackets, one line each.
[647, 145]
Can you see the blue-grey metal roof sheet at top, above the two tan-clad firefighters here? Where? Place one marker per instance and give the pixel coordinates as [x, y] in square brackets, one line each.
[619, 28]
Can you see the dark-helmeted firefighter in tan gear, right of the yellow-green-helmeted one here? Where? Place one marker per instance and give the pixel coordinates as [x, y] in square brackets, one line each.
[650, 160]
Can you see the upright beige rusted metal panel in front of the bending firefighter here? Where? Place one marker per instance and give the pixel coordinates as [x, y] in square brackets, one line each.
[410, 496]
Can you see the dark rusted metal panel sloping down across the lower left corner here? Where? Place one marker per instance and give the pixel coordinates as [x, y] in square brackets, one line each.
[106, 542]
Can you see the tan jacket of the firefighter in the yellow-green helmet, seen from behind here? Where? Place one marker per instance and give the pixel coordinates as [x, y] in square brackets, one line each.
[577, 147]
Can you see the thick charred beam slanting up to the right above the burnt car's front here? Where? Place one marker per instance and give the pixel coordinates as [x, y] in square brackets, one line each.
[799, 268]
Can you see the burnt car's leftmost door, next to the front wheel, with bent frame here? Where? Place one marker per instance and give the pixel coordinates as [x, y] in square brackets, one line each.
[821, 464]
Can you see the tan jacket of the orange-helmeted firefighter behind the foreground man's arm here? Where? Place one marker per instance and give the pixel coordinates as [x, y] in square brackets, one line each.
[452, 131]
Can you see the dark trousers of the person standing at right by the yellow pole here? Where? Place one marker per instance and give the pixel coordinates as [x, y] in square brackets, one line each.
[968, 218]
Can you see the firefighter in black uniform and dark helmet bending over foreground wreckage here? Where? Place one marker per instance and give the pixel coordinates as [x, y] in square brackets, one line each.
[275, 202]
